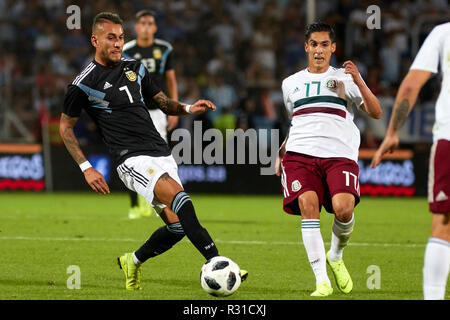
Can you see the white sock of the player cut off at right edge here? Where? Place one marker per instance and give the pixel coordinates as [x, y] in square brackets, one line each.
[435, 269]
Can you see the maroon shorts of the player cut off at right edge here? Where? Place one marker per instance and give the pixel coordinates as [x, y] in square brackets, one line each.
[439, 177]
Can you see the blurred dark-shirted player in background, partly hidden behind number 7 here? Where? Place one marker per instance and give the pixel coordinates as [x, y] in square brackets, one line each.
[156, 55]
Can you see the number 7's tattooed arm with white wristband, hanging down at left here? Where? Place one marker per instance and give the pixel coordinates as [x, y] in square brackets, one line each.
[94, 178]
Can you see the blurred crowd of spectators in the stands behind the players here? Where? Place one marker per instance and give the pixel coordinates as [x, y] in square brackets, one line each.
[233, 52]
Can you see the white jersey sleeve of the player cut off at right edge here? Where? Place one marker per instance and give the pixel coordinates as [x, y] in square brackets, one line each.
[427, 58]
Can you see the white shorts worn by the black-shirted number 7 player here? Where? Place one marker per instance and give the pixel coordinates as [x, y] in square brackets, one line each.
[141, 173]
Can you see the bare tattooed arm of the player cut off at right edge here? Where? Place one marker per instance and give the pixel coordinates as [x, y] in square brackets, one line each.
[404, 102]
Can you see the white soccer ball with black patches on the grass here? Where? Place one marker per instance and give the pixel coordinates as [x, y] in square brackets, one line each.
[220, 276]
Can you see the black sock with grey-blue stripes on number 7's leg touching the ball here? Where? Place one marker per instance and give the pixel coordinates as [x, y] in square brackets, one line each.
[199, 237]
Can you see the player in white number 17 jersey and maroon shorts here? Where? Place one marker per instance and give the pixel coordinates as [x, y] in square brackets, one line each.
[318, 160]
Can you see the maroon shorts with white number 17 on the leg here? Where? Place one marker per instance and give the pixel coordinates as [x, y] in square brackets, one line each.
[325, 176]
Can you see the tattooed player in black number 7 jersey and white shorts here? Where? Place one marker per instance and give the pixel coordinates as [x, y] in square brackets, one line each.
[113, 90]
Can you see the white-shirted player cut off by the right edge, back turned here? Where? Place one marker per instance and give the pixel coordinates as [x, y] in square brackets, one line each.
[434, 51]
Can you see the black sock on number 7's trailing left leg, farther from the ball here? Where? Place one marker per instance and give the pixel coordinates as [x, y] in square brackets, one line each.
[160, 241]
